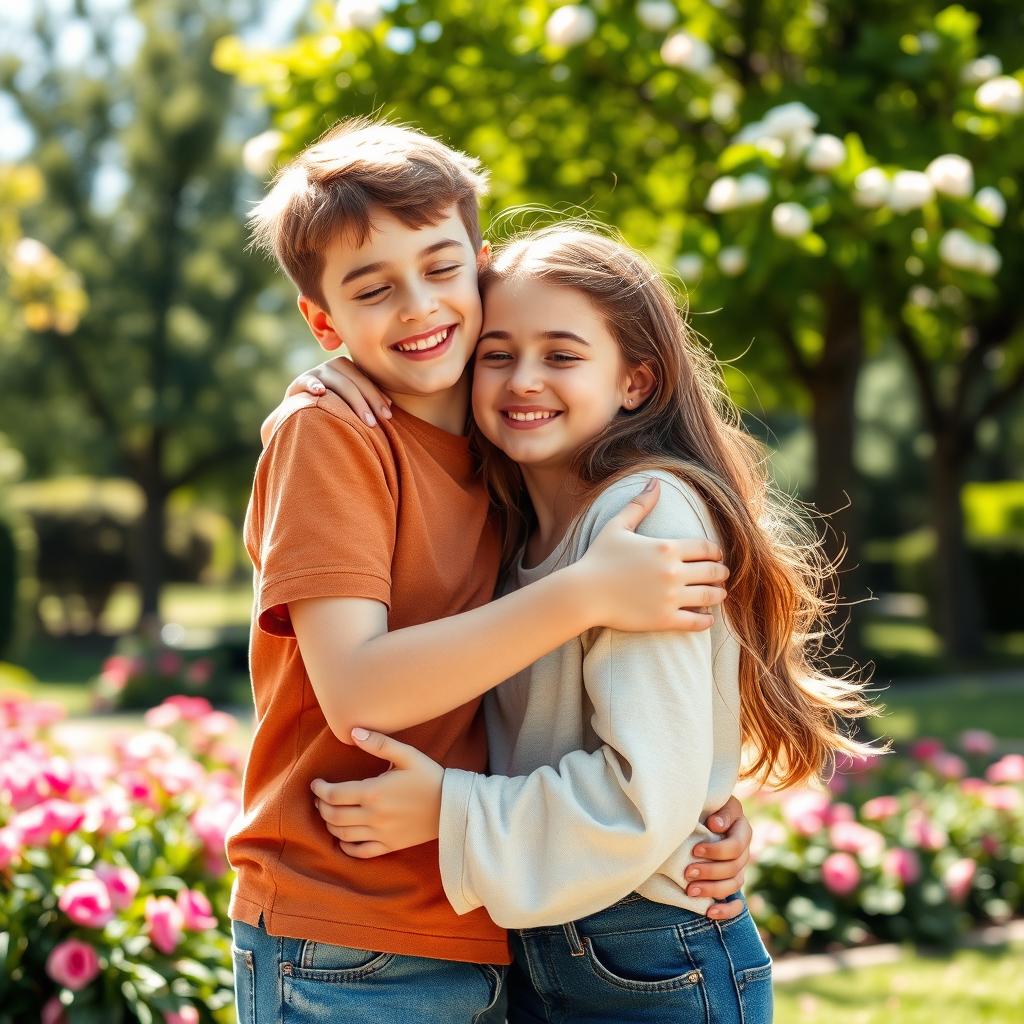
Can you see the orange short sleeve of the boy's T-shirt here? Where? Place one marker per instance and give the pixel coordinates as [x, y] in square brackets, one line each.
[323, 516]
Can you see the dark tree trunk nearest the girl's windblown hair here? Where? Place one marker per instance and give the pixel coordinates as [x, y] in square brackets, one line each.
[837, 491]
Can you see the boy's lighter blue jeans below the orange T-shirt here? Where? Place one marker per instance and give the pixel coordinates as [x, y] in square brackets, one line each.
[298, 982]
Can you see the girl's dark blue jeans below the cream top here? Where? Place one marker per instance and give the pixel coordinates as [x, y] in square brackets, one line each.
[641, 961]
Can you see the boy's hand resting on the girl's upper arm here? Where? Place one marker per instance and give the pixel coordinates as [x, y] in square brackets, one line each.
[647, 585]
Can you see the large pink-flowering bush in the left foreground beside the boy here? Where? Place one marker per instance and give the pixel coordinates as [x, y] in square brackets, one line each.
[113, 881]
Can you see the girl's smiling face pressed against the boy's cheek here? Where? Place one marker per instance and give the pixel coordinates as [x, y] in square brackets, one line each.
[549, 376]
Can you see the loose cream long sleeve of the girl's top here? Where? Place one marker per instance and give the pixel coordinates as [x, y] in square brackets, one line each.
[572, 839]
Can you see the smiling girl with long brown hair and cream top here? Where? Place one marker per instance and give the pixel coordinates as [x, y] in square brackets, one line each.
[610, 753]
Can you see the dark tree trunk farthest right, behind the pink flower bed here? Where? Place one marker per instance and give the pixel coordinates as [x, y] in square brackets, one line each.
[957, 615]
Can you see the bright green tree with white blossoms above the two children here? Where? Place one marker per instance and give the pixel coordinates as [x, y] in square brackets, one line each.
[636, 111]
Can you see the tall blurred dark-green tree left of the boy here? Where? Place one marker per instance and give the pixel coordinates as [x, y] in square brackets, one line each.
[166, 373]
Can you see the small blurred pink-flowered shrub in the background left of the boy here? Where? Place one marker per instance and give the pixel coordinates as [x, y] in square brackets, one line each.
[139, 676]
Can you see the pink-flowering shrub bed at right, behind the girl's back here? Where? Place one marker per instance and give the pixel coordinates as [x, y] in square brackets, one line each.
[900, 848]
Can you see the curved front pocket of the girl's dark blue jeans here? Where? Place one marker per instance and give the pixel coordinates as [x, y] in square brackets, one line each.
[644, 961]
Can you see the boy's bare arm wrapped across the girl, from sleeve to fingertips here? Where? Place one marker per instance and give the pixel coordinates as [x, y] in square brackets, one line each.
[365, 676]
